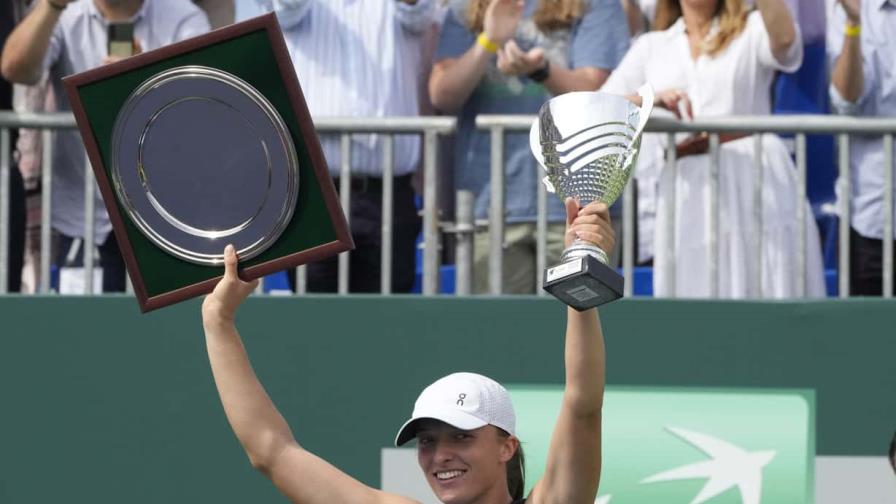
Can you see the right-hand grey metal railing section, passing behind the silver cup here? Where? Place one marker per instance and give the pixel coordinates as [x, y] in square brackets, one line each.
[499, 125]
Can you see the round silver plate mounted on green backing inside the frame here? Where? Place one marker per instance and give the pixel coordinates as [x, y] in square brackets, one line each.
[201, 159]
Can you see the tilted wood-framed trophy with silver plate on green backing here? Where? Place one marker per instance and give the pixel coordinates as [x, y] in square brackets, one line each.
[205, 143]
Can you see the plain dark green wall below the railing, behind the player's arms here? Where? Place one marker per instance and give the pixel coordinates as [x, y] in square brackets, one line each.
[102, 404]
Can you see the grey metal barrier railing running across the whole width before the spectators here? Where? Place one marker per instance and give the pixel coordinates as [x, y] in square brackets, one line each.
[431, 128]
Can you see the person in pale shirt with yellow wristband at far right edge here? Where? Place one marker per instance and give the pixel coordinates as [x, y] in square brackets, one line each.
[863, 83]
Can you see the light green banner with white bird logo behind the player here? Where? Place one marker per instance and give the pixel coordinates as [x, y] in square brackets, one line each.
[688, 446]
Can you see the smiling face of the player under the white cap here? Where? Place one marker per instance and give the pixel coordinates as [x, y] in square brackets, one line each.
[465, 467]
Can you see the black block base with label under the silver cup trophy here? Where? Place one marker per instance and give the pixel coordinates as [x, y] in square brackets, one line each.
[583, 283]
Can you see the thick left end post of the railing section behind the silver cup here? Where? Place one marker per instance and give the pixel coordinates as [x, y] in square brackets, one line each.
[496, 213]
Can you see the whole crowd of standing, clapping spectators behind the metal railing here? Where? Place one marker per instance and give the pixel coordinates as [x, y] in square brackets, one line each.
[704, 58]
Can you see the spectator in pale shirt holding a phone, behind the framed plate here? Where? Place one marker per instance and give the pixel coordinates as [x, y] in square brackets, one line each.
[63, 37]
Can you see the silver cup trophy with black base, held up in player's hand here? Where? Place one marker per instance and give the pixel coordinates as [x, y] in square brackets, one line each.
[588, 144]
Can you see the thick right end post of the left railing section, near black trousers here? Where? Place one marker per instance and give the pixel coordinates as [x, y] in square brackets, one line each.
[430, 214]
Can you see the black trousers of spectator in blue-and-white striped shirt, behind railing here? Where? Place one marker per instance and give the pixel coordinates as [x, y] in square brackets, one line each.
[366, 226]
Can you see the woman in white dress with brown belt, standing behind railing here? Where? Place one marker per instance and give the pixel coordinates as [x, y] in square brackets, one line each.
[715, 58]
